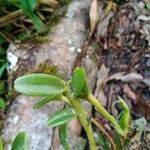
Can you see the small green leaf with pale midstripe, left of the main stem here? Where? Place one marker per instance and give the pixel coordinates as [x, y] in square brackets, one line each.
[61, 117]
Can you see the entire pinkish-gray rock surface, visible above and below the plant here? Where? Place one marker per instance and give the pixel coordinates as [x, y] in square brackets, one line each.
[64, 45]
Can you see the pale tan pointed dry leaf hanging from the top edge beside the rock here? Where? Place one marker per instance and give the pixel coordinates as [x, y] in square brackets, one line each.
[93, 15]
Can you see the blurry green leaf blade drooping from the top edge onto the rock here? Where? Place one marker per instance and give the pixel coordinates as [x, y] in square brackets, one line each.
[28, 7]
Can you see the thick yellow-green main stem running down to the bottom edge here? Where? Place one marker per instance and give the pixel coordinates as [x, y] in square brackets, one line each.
[82, 115]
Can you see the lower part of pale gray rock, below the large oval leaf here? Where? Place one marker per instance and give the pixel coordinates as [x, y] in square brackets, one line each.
[22, 117]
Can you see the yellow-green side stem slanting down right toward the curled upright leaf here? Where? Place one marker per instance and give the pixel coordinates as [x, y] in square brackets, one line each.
[100, 108]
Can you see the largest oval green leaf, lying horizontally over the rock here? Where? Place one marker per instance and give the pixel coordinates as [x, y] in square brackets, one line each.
[39, 85]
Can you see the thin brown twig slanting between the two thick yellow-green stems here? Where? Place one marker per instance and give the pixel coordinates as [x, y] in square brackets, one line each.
[105, 133]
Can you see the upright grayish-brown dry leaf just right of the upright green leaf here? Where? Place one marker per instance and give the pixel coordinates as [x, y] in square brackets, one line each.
[102, 79]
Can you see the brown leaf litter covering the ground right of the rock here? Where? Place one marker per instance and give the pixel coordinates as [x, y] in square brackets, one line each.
[123, 36]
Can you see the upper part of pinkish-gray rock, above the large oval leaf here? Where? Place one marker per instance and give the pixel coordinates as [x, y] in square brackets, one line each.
[65, 39]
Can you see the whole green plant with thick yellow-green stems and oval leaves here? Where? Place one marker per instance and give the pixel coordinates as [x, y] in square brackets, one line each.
[71, 92]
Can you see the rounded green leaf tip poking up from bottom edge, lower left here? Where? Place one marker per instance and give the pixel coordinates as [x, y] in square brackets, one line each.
[20, 142]
